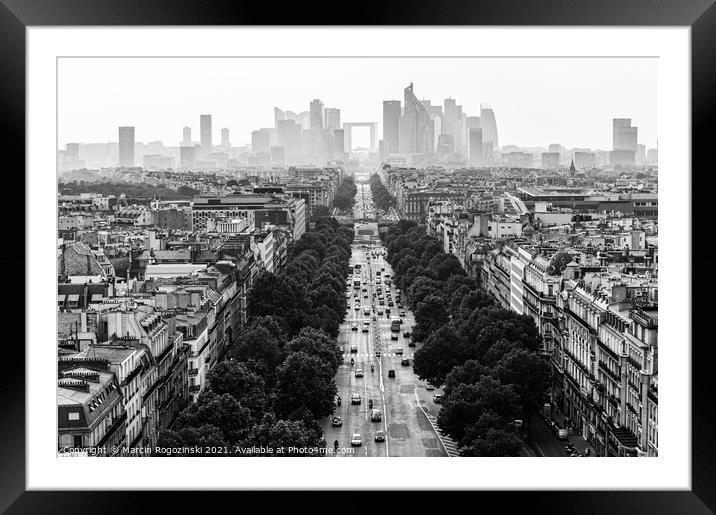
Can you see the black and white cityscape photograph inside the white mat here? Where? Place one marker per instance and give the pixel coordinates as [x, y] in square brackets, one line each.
[357, 257]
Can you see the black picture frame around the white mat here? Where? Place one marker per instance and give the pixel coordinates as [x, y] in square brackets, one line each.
[700, 15]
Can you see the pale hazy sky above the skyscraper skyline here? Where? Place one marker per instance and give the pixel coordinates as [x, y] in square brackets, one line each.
[537, 101]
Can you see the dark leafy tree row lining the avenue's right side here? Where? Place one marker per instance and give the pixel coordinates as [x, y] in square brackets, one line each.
[486, 356]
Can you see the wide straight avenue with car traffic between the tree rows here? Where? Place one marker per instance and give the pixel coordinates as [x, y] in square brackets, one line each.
[408, 431]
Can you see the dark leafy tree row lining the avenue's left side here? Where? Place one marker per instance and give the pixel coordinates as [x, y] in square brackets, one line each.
[279, 375]
